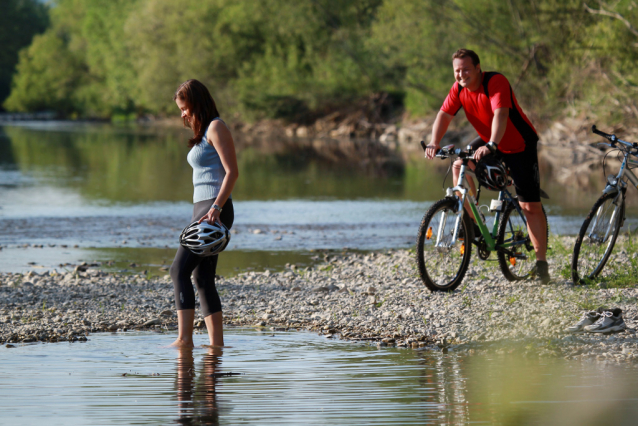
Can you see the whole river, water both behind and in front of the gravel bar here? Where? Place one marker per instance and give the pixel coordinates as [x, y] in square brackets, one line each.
[119, 196]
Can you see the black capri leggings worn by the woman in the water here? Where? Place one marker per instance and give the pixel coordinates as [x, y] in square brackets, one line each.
[201, 268]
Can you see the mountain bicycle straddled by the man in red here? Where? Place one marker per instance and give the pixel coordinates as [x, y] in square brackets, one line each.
[443, 252]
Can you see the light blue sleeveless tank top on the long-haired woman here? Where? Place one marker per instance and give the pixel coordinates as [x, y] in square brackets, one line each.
[208, 171]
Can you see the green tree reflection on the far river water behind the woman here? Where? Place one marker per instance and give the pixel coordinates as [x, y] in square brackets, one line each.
[143, 164]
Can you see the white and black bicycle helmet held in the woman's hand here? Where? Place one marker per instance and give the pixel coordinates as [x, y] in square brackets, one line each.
[205, 239]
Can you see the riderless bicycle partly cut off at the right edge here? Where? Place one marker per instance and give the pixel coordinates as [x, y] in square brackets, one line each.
[600, 229]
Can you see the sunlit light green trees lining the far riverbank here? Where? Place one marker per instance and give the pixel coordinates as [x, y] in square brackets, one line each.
[298, 61]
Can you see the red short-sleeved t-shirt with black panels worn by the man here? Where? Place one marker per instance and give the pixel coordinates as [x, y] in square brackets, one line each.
[479, 110]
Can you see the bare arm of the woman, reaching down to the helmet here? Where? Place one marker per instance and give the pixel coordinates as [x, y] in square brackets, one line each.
[220, 138]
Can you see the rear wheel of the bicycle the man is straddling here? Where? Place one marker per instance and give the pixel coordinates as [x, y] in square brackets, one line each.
[513, 268]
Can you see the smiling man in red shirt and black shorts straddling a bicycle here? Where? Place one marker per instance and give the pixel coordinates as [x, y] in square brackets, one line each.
[491, 107]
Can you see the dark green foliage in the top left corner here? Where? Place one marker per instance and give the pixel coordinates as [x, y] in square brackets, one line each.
[20, 20]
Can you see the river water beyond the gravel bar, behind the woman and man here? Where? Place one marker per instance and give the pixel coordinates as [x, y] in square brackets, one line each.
[89, 191]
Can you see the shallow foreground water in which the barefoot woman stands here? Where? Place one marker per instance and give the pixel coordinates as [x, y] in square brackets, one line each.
[300, 378]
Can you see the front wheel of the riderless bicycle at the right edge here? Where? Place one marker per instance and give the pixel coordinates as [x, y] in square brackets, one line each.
[597, 237]
